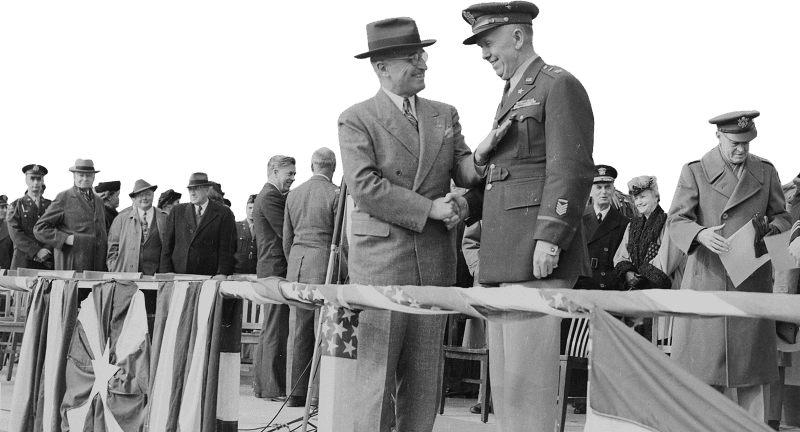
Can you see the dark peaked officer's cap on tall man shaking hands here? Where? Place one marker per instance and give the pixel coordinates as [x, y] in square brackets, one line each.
[488, 15]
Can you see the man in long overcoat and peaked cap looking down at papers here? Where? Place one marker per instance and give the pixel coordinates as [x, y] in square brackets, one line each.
[716, 196]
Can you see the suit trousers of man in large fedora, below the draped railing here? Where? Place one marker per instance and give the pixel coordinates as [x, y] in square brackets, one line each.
[398, 354]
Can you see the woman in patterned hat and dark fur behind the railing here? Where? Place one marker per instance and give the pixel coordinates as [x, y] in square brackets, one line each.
[646, 258]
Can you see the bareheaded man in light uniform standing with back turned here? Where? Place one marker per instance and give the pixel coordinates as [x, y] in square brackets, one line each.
[307, 234]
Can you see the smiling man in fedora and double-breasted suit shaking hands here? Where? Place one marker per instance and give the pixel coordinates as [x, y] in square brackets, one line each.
[399, 153]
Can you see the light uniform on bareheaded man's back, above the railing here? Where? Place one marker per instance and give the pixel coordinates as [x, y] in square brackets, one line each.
[308, 229]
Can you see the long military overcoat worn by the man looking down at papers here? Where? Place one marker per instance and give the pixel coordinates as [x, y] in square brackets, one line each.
[724, 351]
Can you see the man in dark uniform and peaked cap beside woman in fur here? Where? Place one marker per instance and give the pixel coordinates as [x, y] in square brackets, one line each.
[604, 227]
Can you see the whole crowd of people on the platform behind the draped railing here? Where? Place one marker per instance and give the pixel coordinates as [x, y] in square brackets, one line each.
[533, 210]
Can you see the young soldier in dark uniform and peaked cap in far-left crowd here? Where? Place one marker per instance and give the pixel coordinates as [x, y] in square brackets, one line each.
[23, 214]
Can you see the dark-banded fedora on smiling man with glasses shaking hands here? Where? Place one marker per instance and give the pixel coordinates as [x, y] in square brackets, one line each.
[393, 33]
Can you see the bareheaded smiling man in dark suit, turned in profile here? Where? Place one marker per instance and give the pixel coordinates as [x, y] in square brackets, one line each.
[270, 357]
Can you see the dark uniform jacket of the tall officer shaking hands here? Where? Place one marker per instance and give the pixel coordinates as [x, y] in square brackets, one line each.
[538, 179]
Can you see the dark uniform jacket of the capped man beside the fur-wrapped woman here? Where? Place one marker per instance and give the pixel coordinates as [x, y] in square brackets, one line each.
[603, 240]
